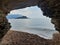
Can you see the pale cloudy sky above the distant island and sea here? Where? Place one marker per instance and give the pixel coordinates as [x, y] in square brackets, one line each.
[31, 12]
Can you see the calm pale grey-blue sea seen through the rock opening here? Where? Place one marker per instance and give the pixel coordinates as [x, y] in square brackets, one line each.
[41, 26]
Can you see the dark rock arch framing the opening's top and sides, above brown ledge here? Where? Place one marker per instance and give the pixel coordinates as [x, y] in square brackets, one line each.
[50, 8]
